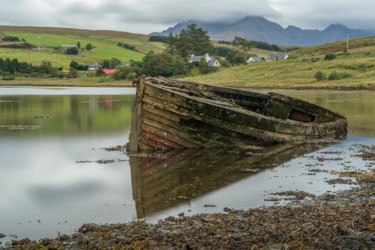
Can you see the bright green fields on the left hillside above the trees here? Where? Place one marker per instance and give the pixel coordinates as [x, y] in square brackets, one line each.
[104, 43]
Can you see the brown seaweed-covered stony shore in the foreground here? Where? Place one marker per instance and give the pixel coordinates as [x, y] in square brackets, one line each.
[342, 220]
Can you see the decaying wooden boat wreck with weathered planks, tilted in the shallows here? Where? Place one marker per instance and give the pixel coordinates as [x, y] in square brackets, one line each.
[172, 114]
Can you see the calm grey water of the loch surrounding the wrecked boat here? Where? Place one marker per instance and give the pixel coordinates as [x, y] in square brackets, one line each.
[52, 141]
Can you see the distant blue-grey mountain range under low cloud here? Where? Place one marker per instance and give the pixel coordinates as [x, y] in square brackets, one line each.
[258, 28]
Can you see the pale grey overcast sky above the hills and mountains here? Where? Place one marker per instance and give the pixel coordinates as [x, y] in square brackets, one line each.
[146, 16]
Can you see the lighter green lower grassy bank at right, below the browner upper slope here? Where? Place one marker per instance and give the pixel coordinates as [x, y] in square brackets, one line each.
[360, 74]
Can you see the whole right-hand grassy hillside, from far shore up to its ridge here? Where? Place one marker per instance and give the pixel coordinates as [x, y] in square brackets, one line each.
[355, 68]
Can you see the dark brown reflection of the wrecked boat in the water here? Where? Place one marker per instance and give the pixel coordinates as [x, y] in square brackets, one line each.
[161, 181]
